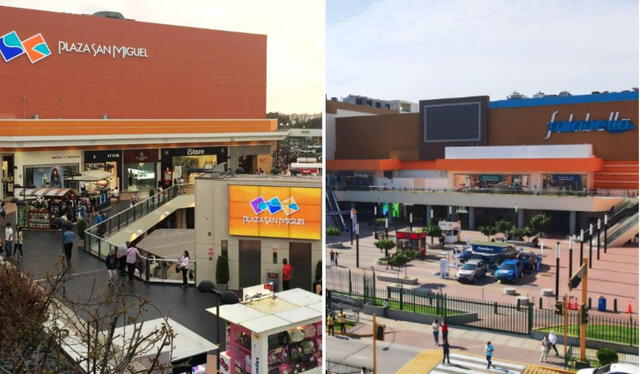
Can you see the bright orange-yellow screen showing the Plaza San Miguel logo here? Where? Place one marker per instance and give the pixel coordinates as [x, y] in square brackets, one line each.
[276, 212]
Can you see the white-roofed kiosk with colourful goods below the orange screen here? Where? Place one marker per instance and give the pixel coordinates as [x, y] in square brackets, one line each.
[273, 333]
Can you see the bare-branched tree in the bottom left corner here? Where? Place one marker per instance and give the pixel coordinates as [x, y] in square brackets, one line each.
[45, 331]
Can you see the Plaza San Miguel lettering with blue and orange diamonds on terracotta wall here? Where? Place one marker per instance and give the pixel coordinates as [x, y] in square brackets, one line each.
[36, 48]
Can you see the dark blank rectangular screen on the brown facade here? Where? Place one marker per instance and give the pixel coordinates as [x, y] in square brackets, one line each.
[452, 122]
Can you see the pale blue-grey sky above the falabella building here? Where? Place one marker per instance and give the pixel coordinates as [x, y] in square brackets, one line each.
[426, 49]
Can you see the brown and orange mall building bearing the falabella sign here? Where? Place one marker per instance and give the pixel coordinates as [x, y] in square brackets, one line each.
[472, 159]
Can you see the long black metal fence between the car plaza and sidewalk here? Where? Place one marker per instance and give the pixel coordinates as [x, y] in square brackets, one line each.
[498, 316]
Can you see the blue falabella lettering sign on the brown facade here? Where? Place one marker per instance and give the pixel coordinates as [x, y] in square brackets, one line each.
[612, 125]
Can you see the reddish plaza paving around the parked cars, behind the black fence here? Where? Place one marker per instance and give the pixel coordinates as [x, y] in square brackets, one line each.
[614, 276]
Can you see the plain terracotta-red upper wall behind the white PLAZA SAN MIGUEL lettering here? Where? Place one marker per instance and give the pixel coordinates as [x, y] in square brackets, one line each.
[167, 72]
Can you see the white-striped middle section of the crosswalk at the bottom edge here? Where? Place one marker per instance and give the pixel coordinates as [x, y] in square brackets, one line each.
[462, 364]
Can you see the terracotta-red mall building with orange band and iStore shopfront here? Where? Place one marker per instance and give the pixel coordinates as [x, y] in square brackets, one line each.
[146, 102]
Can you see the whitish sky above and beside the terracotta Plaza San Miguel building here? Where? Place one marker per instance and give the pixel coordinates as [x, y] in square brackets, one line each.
[295, 36]
